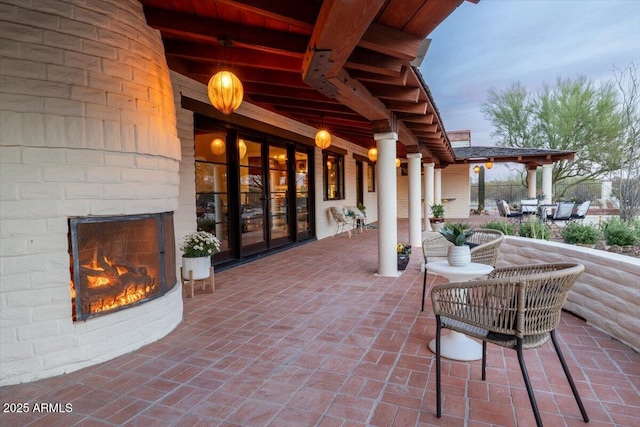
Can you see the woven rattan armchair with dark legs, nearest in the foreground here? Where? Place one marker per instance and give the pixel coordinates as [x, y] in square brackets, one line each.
[517, 307]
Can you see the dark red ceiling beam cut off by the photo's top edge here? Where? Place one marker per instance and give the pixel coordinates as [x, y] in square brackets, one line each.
[302, 14]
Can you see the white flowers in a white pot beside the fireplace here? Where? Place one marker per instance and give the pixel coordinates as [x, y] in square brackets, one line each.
[197, 249]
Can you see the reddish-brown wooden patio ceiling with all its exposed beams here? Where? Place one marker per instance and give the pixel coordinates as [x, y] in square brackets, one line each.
[341, 63]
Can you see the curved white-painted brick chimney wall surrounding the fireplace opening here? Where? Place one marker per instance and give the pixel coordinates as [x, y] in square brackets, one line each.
[87, 127]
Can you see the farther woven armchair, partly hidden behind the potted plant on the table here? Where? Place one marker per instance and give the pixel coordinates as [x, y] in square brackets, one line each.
[485, 244]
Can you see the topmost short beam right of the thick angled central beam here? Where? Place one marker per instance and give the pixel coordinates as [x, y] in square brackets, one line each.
[390, 41]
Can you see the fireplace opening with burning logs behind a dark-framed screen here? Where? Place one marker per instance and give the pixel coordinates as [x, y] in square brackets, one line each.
[120, 261]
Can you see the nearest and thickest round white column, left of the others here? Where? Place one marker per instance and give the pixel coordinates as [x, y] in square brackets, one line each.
[387, 204]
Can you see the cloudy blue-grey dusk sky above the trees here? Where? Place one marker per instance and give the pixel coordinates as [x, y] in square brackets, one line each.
[497, 42]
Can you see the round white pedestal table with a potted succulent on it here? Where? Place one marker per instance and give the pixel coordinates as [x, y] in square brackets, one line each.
[455, 345]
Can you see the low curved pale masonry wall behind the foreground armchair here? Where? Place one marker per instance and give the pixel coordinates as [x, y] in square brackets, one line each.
[607, 294]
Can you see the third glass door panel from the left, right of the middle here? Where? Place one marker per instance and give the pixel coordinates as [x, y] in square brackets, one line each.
[278, 185]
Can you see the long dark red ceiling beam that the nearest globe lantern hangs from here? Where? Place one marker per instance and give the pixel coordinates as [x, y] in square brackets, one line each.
[197, 28]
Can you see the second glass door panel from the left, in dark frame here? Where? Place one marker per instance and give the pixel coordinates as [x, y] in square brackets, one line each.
[252, 195]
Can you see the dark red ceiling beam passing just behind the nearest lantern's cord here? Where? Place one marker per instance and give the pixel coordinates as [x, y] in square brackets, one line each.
[204, 53]
